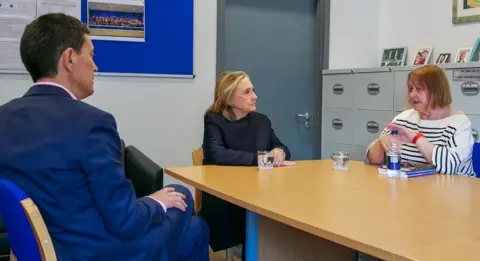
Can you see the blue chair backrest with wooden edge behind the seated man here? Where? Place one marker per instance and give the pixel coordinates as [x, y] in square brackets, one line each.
[27, 234]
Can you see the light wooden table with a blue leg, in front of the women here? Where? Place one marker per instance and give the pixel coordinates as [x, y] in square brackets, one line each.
[431, 218]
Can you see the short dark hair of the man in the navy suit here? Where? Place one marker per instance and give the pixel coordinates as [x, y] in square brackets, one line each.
[46, 38]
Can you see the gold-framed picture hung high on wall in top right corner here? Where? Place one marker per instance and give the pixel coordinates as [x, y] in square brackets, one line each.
[465, 11]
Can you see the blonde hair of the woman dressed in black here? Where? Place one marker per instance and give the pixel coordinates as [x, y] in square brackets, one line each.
[225, 89]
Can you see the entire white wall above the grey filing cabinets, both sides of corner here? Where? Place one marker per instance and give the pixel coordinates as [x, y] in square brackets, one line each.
[360, 29]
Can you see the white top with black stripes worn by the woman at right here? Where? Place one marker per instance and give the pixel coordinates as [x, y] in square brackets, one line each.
[452, 139]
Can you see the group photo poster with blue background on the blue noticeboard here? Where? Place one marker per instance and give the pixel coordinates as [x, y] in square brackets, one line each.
[117, 20]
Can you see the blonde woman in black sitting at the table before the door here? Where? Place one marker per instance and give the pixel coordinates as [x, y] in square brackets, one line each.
[233, 134]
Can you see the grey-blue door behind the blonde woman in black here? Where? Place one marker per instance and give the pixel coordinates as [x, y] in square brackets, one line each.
[274, 41]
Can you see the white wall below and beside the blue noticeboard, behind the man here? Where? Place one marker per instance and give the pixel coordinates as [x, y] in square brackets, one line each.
[161, 117]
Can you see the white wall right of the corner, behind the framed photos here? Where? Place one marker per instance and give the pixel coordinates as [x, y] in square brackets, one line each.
[414, 23]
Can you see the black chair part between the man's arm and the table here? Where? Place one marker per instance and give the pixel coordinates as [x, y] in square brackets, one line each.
[145, 175]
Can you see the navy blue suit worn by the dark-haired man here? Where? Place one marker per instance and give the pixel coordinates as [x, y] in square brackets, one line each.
[66, 155]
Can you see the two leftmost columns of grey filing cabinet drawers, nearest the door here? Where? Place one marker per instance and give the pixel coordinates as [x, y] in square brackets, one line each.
[357, 103]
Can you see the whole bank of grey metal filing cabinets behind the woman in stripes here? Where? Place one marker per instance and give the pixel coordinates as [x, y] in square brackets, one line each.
[358, 103]
